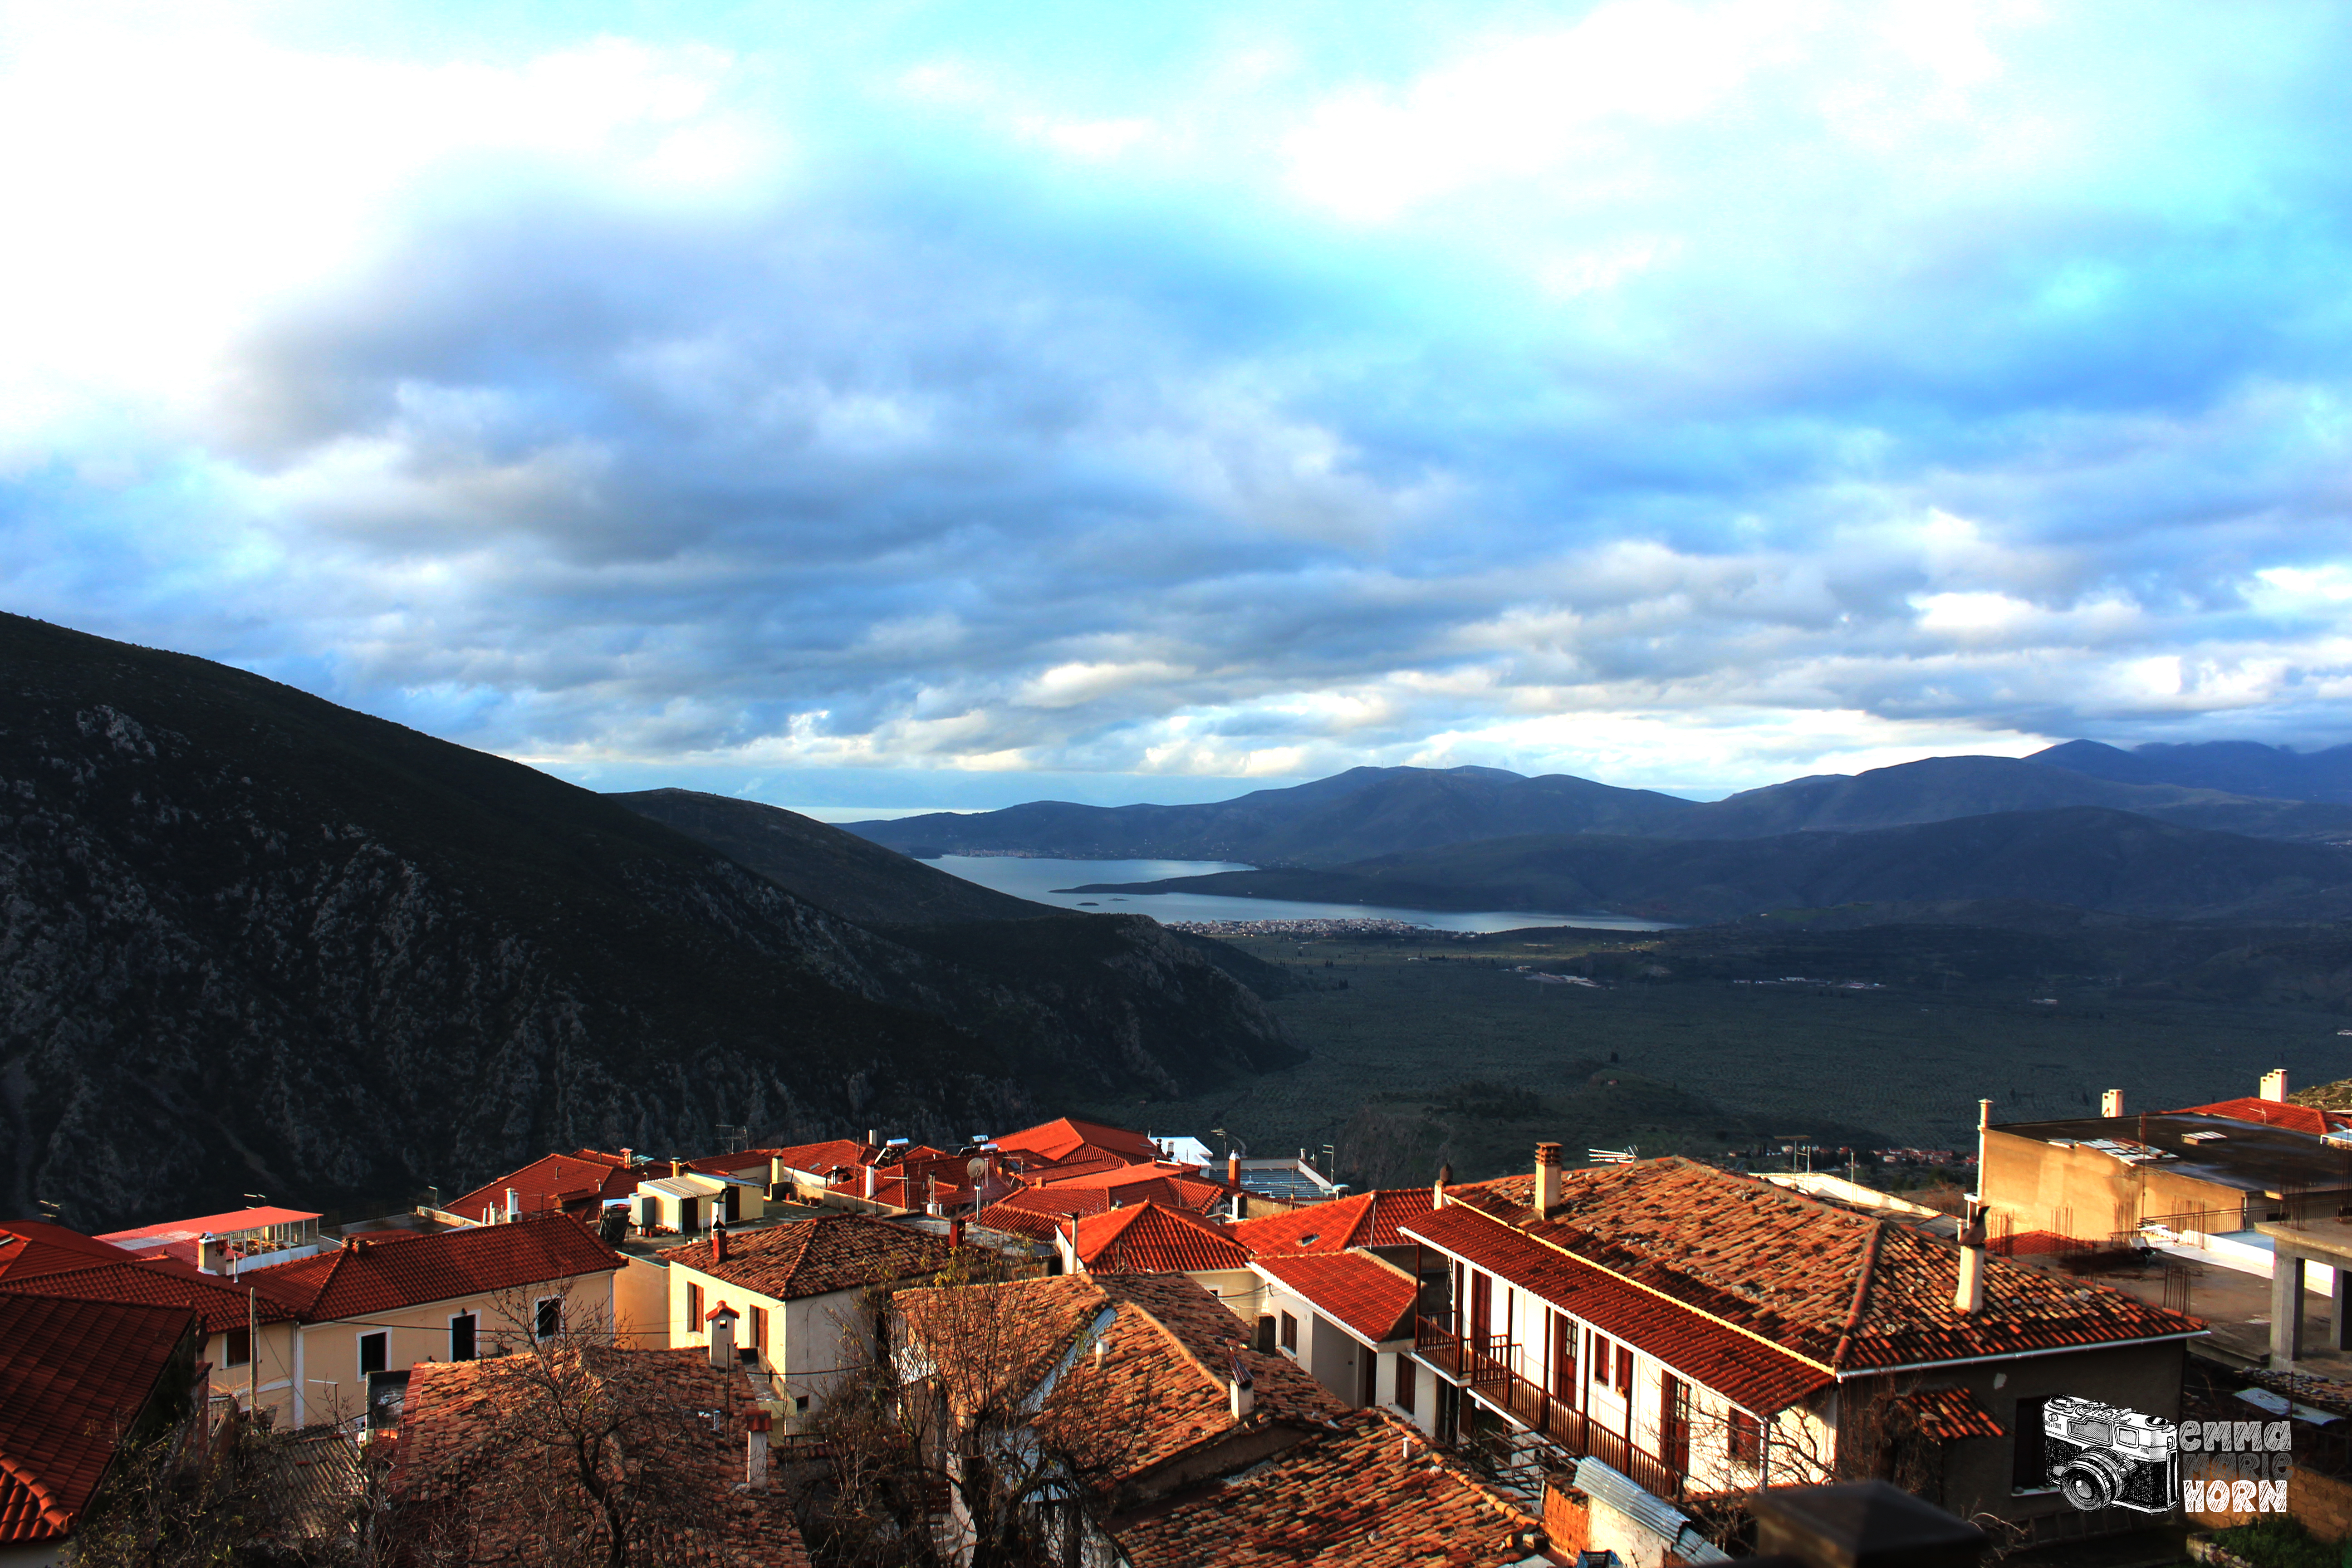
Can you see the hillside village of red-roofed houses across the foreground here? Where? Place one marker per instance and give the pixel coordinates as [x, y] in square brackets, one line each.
[1090, 1346]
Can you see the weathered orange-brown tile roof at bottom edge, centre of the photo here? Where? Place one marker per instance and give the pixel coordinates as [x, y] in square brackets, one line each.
[1368, 1496]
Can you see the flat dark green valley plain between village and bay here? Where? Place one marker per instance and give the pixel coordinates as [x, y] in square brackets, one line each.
[1441, 1052]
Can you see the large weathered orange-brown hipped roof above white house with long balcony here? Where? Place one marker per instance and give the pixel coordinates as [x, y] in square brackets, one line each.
[1796, 1271]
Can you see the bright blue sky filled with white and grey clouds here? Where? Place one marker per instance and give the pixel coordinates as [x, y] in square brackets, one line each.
[947, 406]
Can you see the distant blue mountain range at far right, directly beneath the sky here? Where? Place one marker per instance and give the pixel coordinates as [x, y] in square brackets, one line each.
[1944, 789]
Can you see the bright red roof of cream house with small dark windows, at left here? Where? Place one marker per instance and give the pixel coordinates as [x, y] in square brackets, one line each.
[382, 1275]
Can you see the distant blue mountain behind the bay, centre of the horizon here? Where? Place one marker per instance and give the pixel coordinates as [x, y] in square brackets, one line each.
[1363, 812]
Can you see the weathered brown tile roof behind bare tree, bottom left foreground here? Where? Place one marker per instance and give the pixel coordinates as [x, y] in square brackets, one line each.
[457, 1438]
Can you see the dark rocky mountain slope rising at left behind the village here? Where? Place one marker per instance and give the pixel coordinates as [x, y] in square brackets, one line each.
[258, 942]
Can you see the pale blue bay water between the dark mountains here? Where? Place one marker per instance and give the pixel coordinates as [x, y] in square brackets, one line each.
[1036, 880]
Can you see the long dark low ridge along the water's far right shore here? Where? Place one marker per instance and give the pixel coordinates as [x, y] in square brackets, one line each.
[2076, 857]
